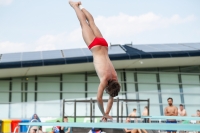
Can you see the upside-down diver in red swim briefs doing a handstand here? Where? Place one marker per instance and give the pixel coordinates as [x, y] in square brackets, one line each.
[103, 66]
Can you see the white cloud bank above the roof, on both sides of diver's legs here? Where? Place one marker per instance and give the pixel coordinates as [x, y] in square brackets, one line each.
[115, 28]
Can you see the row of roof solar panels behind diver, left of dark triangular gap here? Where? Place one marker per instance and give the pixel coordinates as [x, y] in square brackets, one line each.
[54, 54]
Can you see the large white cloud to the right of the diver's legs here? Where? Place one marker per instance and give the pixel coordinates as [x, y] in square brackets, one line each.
[125, 25]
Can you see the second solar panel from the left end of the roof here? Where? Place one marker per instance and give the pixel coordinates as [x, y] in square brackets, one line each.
[31, 56]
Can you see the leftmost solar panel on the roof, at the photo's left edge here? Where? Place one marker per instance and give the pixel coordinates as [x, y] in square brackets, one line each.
[12, 57]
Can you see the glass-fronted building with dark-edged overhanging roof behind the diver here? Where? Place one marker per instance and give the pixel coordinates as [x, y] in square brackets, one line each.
[26, 89]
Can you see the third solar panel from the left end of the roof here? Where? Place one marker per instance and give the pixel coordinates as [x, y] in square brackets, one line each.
[52, 54]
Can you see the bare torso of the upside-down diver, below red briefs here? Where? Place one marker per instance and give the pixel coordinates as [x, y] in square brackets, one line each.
[102, 63]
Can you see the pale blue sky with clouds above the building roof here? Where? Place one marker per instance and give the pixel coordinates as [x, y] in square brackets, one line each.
[35, 25]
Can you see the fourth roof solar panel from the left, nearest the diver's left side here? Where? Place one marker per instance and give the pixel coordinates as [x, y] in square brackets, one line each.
[73, 53]
